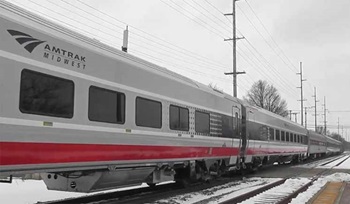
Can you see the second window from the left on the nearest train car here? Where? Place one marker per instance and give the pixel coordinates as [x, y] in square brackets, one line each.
[106, 105]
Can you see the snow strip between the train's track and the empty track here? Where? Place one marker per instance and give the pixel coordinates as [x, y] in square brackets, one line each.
[220, 193]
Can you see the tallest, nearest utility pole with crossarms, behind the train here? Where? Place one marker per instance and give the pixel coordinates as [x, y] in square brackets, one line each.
[234, 39]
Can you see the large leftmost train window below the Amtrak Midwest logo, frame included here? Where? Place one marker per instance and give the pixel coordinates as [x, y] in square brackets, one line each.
[43, 94]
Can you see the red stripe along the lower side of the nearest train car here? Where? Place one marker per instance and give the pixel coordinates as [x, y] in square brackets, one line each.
[14, 153]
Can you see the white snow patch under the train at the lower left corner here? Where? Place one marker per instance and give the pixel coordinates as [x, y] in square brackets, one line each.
[31, 191]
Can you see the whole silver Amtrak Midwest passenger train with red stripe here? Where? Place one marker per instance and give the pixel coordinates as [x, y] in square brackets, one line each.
[89, 117]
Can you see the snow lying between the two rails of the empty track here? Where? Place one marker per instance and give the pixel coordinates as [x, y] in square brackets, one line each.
[277, 193]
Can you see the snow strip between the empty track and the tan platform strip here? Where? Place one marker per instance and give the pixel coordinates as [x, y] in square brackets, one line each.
[318, 184]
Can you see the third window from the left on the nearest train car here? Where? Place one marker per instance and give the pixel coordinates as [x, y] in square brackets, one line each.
[148, 113]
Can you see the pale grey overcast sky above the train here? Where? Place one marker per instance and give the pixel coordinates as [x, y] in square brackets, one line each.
[187, 37]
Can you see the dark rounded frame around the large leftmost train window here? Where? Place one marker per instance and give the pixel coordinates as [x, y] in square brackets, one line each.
[70, 116]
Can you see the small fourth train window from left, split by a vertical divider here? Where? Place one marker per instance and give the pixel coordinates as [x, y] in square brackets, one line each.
[178, 118]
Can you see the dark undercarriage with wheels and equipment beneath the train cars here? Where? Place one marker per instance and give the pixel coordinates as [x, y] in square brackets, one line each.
[182, 173]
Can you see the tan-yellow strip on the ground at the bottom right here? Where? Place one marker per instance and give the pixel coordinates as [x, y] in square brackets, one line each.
[329, 194]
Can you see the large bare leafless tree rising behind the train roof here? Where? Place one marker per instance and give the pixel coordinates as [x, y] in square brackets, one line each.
[265, 95]
